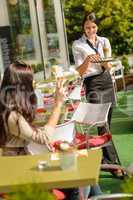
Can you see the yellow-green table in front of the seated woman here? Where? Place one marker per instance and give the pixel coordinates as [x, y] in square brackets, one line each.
[21, 170]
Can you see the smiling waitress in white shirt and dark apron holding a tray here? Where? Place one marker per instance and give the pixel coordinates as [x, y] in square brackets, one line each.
[87, 52]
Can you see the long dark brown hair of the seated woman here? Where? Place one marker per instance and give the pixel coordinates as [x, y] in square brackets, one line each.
[17, 94]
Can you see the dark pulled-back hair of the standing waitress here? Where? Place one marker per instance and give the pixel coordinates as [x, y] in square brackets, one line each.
[91, 17]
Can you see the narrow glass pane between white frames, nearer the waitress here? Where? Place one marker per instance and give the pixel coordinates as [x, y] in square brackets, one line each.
[51, 29]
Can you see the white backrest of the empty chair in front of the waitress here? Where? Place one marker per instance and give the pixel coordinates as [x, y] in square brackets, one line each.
[89, 113]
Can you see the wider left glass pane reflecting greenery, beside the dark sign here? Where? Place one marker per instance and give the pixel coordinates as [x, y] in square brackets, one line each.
[21, 29]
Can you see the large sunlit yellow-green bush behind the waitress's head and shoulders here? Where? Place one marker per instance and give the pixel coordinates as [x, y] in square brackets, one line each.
[115, 21]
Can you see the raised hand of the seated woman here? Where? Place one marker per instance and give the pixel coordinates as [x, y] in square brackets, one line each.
[61, 91]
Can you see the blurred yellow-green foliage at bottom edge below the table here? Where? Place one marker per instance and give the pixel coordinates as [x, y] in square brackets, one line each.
[30, 192]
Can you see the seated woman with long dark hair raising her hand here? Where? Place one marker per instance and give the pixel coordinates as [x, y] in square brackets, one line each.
[17, 112]
